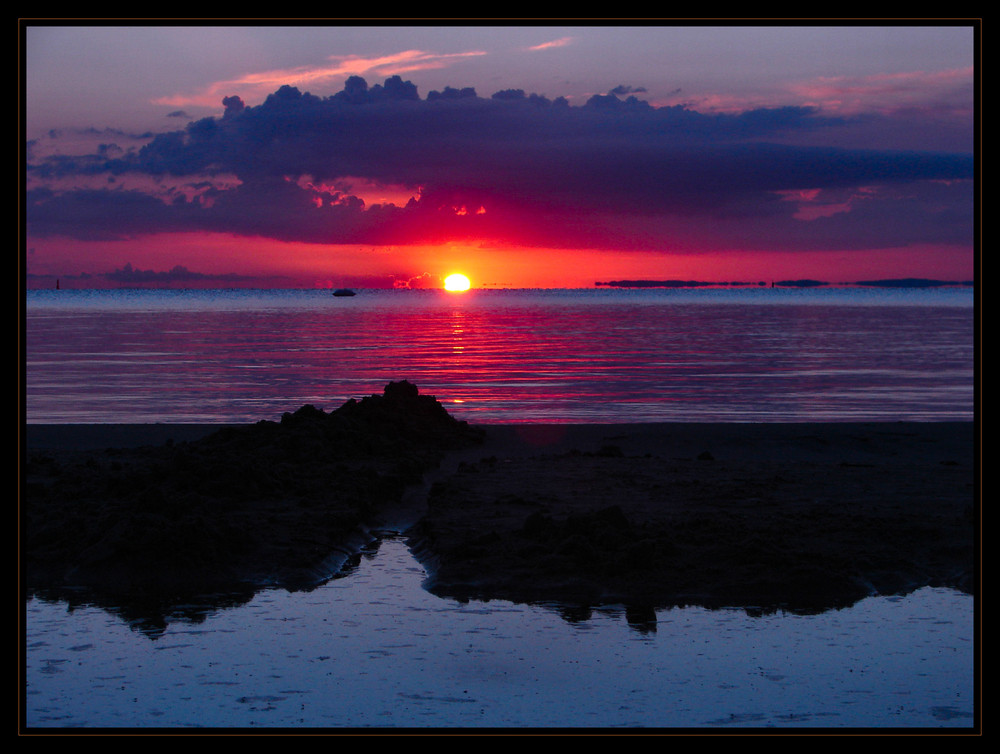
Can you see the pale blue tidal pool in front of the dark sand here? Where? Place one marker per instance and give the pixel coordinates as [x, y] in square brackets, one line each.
[375, 649]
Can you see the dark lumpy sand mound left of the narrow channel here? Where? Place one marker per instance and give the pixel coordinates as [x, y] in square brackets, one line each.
[269, 503]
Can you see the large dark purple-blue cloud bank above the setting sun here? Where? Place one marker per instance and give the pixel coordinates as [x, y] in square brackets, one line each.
[614, 173]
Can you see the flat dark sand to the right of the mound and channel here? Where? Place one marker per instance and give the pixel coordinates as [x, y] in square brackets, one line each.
[794, 516]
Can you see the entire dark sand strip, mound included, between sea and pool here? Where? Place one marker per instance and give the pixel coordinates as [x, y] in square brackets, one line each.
[800, 517]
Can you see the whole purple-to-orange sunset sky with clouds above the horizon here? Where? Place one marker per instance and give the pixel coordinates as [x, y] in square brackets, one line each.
[520, 155]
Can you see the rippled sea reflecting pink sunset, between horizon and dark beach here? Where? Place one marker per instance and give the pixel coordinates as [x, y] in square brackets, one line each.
[504, 356]
